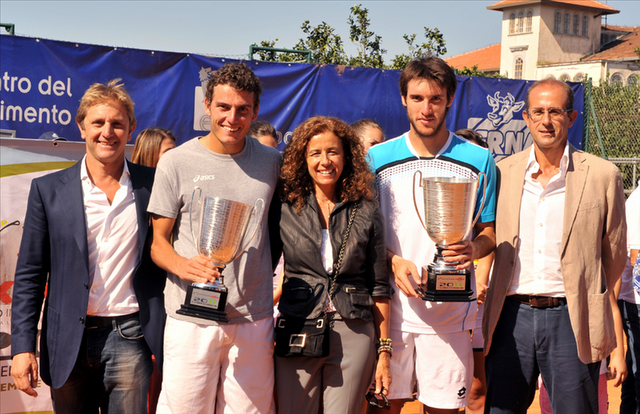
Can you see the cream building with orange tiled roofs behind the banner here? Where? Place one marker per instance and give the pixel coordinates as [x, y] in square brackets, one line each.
[564, 39]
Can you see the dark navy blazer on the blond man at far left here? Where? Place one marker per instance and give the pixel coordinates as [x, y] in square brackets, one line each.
[54, 250]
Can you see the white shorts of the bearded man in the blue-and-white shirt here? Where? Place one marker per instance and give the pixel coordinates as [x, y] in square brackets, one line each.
[442, 365]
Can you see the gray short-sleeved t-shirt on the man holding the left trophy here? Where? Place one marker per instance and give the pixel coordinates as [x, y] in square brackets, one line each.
[244, 177]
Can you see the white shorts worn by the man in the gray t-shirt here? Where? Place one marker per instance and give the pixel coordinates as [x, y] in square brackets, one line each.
[221, 369]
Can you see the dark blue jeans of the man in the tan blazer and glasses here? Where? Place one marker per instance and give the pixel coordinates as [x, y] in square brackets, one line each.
[531, 341]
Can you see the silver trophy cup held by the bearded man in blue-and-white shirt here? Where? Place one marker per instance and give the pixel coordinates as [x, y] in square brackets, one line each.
[448, 208]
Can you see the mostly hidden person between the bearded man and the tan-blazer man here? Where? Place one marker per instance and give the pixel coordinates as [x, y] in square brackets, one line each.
[478, 392]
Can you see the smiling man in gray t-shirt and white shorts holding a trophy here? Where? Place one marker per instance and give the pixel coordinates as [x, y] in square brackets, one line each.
[210, 364]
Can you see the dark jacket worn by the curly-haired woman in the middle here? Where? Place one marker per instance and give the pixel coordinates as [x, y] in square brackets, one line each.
[364, 268]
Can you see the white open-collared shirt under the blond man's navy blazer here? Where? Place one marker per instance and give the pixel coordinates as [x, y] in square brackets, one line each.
[112, 238]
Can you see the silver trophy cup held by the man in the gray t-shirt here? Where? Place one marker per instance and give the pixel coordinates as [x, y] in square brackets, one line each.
[222, 227]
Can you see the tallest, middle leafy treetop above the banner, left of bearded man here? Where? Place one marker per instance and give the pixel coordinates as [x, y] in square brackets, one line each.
[369, 44]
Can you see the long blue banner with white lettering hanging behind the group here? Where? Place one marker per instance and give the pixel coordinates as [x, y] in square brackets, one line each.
[42, 81]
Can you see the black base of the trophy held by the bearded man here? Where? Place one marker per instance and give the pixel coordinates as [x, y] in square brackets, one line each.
[446, 285]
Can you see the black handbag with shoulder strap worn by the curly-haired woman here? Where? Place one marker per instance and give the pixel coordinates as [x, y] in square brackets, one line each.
[309, 337]
